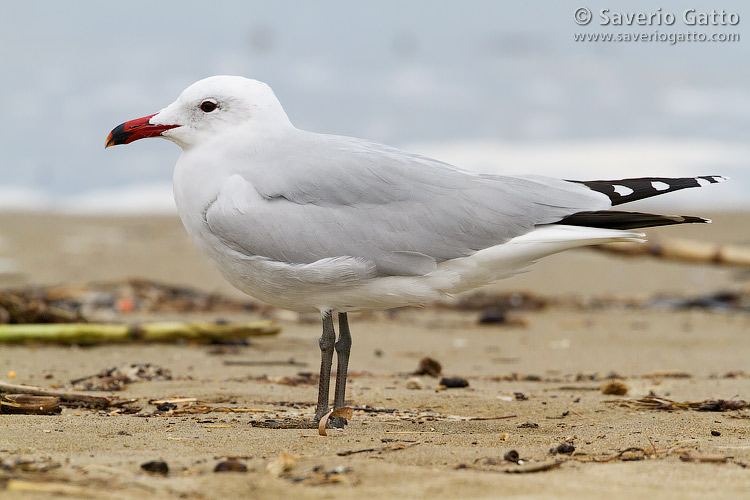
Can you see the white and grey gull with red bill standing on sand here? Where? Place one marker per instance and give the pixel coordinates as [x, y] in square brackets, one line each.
[332, 224]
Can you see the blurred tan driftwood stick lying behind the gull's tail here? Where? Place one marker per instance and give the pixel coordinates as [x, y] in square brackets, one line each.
[699, 252]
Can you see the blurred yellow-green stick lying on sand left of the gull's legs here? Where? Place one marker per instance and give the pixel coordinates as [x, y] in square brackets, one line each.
[89, 333]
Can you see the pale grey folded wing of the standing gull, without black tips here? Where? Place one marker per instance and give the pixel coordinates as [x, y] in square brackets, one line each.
[330, 196]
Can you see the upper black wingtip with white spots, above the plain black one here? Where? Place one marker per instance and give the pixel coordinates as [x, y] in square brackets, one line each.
[627, 190]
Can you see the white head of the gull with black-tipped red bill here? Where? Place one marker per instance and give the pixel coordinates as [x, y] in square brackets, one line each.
[207, 109]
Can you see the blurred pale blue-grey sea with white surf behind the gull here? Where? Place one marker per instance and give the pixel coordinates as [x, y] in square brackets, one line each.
[490, 86]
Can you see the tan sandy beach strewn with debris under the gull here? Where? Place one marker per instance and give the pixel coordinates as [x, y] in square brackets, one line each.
[534, 384]
